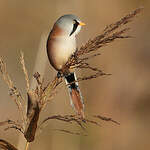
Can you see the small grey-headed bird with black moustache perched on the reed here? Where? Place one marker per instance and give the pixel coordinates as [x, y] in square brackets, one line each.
[61, 45]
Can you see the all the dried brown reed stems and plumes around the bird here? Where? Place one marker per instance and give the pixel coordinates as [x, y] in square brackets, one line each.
[39, 97]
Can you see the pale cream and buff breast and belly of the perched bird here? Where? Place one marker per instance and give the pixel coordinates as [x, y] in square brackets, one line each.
[59, 50]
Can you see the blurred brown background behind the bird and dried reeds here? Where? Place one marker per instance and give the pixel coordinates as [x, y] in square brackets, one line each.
[124, 96]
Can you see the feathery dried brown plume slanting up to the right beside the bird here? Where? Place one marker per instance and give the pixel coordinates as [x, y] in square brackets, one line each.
[110, 34]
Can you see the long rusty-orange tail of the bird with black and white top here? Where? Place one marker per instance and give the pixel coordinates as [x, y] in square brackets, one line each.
[75, 94]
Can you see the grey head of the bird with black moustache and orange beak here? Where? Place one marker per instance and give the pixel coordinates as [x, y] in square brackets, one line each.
[70, 24]
